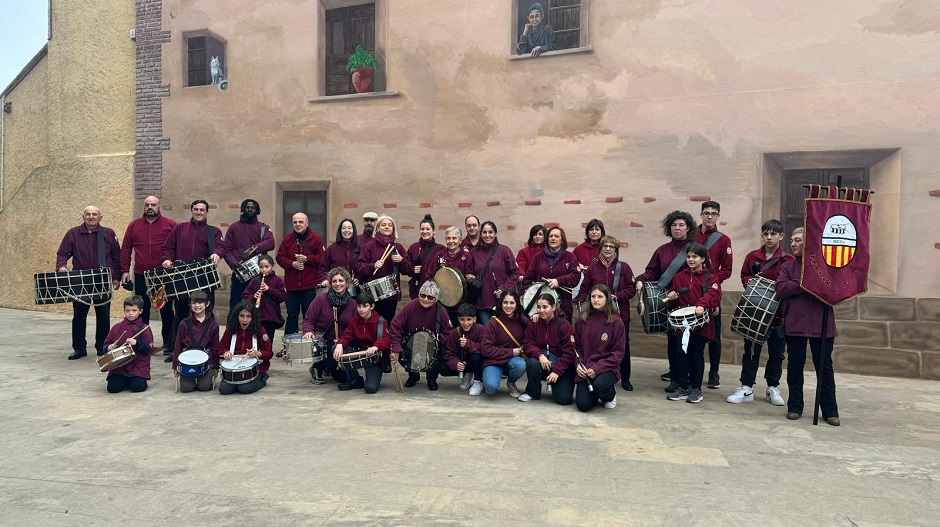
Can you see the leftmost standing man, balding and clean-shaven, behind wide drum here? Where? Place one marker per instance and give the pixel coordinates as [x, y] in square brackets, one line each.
[90, 246]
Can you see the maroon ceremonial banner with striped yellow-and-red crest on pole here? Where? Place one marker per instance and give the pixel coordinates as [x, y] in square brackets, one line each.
[836, 244]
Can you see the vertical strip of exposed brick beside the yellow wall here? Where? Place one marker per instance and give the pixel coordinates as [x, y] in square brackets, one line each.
[150, 143]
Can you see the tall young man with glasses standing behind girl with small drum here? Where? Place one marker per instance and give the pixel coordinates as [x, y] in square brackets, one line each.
[721, 261]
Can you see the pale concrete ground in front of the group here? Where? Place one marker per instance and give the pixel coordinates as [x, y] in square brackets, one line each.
[298, 454]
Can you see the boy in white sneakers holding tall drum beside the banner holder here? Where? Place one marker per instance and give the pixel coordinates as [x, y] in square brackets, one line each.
[764, 262]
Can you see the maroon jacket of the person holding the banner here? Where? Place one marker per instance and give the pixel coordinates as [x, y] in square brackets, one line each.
[802, 312]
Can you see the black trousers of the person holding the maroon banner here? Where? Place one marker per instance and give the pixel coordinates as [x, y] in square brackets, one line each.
[796, 359]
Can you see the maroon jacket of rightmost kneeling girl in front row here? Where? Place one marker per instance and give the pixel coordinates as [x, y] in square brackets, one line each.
[600, 343]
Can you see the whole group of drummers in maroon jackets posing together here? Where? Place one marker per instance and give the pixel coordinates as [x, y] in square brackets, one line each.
[544, 312]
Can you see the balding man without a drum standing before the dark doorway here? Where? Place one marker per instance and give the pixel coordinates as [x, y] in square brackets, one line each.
[300, 255]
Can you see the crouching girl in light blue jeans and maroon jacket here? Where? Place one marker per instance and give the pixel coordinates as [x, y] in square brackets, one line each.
[502, 345]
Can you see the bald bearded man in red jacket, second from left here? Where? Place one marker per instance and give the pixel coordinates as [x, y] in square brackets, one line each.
[143, 239]
